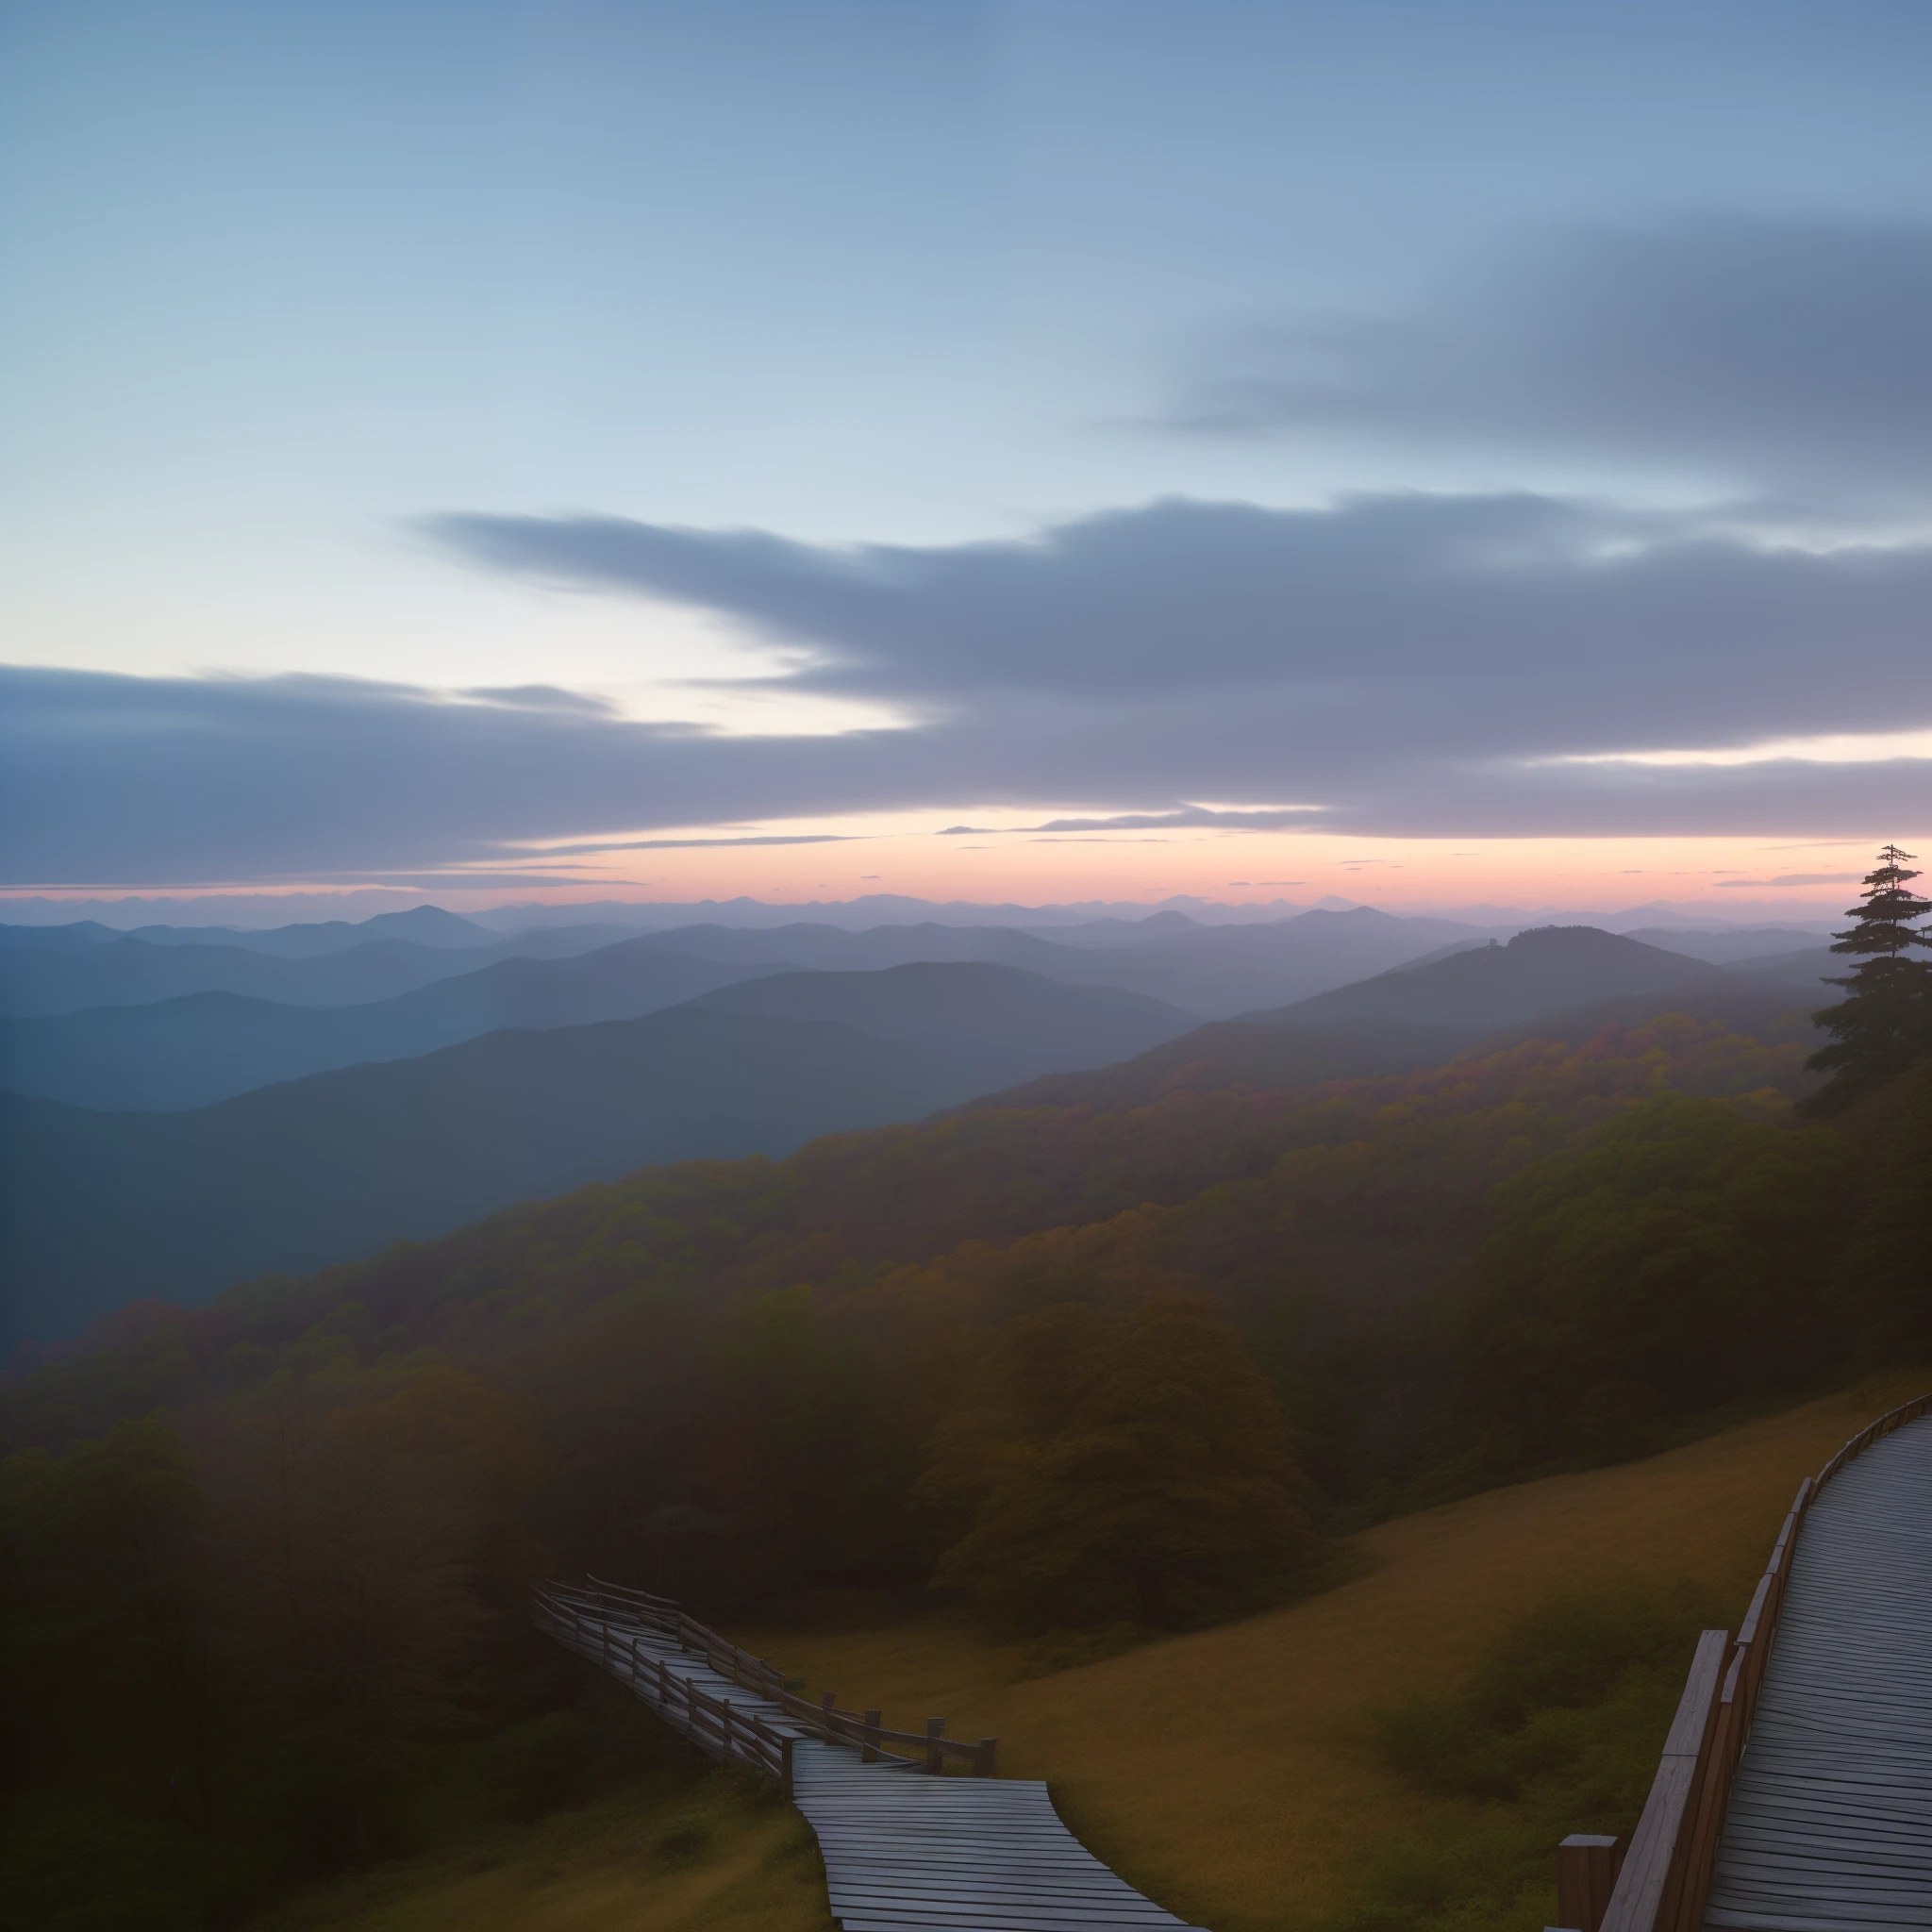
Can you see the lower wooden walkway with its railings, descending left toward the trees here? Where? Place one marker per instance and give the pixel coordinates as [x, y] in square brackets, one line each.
[905, 1852]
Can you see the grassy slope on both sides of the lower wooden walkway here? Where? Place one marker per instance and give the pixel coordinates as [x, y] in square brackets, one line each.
[1226, 1773]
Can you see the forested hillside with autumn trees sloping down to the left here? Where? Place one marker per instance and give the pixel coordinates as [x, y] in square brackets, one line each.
[745, 1382]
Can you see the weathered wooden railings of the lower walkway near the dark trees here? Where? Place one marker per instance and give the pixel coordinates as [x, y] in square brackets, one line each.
[606, 1624]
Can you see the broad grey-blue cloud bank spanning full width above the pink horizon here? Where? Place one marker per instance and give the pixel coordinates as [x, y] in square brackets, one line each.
[1406, 664]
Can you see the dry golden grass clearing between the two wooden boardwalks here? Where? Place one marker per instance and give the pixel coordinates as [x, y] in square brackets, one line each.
[1228, 1773]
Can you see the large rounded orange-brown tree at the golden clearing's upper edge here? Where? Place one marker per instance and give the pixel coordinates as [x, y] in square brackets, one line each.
[1120, 1471]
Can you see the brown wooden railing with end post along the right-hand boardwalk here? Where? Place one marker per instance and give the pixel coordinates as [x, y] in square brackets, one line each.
[1662, 1881]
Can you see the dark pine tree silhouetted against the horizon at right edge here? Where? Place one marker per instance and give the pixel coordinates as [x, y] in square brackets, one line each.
[1885, 1023]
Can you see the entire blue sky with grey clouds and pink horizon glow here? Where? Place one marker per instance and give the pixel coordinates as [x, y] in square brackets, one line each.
[567, 449]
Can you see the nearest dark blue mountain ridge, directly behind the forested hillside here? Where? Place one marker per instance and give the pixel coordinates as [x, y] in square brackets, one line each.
[105, 1208]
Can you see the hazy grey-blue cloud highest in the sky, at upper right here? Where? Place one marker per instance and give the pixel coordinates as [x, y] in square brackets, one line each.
[1784, 355]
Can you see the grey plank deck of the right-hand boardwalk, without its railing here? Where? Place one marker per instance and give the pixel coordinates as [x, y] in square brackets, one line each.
[1831, 1819]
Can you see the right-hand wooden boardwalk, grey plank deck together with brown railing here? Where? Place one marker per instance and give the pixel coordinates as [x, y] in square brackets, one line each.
[1796, 1784]
